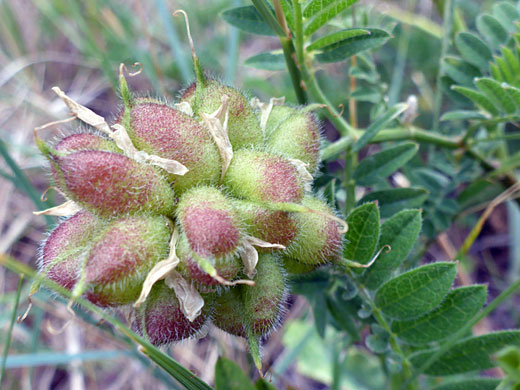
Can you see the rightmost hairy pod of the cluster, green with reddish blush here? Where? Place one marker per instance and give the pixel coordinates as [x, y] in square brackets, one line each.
[318, 240]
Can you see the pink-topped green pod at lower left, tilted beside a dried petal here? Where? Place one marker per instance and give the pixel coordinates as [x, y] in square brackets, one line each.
[121, 257]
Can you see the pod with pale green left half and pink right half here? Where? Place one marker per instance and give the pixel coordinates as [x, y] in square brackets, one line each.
[263, 177]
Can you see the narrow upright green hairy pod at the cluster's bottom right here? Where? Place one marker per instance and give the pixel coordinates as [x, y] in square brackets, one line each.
[263, 302]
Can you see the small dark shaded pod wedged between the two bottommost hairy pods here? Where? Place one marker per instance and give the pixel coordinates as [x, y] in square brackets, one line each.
[229, 312]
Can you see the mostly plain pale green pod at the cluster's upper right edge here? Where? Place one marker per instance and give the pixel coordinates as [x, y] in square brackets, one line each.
[298, 137]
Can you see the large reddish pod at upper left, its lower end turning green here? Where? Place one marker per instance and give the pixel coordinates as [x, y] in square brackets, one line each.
[160, 129]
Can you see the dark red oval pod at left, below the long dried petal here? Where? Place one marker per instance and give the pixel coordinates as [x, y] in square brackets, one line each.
[109, 183]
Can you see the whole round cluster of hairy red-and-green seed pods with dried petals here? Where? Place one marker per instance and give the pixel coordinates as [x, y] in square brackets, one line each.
[191, 212]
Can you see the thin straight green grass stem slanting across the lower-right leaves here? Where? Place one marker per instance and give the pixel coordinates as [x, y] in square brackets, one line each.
[463, 331]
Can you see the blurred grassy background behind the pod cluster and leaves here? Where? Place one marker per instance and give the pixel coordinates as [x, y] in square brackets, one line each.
[78, 46]
